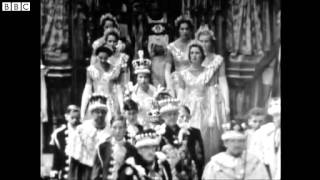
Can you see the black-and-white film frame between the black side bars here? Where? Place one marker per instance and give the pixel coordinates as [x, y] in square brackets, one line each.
[160, 89]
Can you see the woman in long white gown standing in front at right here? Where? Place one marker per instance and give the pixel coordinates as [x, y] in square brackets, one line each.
[194, 87]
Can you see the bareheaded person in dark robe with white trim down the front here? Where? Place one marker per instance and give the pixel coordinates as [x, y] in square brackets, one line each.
[112, 153]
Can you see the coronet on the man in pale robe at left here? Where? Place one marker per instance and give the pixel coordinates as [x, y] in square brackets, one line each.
[97, 101]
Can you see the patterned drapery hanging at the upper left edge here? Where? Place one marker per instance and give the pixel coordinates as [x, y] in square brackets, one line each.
[55, 31]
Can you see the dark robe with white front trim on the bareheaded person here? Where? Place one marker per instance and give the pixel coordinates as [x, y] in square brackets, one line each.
[110, 157]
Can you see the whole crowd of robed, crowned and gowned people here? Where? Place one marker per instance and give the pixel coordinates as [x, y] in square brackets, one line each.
[173, 123]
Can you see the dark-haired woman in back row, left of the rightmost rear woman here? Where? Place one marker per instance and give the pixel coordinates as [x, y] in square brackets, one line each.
[178, 49]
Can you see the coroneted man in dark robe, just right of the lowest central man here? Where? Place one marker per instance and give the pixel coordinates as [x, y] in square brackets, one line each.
[182, 164]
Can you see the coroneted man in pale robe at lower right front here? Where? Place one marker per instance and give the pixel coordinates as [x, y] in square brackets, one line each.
[235, 163]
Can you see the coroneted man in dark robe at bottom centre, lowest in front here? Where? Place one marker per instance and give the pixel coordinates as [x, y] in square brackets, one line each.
[149, 164]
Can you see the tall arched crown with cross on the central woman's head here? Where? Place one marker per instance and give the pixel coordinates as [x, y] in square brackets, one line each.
[141, 65]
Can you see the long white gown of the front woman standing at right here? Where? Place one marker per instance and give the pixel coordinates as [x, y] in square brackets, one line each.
[198, 96]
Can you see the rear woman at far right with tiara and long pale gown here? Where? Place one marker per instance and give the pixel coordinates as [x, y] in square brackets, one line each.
[218, 93]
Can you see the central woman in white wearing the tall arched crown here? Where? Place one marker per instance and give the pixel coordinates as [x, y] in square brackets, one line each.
[142, 91]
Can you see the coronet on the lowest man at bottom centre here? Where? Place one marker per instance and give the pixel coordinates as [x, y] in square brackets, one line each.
[147, 138]
